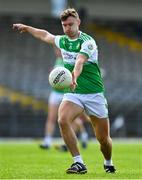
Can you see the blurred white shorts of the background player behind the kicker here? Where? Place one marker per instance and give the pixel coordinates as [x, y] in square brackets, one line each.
[55, 98]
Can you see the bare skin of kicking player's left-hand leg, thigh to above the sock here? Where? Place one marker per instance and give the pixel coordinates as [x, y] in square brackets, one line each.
[68, 111]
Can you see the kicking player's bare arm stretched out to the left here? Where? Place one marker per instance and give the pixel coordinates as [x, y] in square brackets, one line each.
[37, 33]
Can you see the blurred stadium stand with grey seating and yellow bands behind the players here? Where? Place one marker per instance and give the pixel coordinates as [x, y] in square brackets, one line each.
[25, 62]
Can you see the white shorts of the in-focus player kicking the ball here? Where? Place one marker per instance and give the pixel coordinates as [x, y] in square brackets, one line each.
[93, 104]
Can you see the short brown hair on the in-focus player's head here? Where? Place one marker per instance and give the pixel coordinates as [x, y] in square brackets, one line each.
[67, 13]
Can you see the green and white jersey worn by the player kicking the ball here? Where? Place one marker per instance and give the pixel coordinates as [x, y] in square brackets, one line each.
[90, 80]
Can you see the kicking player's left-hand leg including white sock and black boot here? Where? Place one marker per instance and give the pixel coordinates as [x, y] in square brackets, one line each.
[68, 111]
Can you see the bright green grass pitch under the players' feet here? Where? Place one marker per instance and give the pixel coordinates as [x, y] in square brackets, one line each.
[27, 161]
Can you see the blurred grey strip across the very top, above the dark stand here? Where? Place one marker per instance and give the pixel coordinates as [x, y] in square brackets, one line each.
[128, 9]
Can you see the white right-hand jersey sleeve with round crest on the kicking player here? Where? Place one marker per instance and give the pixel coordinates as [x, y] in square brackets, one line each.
[88, 48]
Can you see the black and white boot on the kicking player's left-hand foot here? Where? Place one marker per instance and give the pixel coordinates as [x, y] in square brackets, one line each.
[77, 168]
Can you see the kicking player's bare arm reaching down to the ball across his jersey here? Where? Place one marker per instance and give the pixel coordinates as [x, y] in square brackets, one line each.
[81, 59]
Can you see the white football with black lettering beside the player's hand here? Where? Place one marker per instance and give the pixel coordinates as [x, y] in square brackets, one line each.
[60, 78]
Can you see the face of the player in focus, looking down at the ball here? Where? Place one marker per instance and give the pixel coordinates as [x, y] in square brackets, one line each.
[71, 27]
